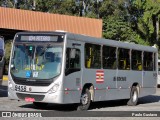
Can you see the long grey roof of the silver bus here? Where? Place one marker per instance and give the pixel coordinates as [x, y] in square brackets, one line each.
[100, 41]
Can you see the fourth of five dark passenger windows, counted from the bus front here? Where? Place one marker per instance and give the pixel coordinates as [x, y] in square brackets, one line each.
[136, 60]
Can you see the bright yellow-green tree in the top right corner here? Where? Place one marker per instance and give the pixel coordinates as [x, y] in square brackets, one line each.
[147, 14]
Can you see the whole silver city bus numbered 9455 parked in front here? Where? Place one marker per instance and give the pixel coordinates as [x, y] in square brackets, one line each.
[66, 68]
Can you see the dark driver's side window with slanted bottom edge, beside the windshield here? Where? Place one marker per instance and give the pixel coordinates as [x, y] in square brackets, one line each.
[72, 63]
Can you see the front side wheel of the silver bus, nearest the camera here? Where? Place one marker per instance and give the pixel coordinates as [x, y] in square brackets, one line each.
[85, 100]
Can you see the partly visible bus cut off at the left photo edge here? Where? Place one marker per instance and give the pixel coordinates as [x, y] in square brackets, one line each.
[2, 53]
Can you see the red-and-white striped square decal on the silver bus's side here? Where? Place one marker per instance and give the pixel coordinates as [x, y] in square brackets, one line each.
[99, 76]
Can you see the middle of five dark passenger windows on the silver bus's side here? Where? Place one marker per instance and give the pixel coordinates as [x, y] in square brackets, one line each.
[123, 59]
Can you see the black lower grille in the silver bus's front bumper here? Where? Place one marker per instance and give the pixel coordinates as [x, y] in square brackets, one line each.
[36, 97]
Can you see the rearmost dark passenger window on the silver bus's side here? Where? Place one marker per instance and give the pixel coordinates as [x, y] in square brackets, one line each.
[148, 61]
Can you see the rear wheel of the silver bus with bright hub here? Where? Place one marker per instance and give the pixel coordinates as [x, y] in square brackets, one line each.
[133, 97]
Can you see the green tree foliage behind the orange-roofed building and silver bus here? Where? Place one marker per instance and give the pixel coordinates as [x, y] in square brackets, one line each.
[124, 20]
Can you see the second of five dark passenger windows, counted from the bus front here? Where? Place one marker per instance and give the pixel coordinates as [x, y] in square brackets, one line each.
[109, 57]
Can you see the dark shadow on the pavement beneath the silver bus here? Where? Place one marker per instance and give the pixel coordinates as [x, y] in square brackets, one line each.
[95, 105]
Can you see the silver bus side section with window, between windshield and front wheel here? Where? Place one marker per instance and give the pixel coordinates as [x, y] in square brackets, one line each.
[72, 81]
